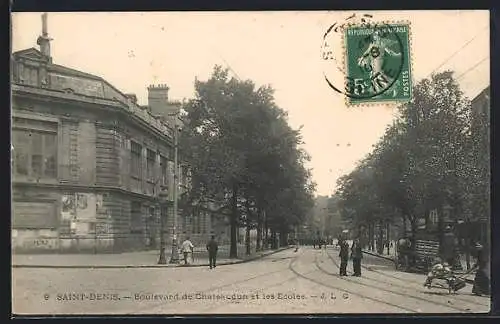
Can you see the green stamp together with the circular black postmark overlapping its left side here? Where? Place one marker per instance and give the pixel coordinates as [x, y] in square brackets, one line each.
[368, 62]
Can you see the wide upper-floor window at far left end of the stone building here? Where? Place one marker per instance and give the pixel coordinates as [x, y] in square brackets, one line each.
[35, 148]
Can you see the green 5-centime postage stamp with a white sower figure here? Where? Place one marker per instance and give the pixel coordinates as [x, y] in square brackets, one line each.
[378, 63]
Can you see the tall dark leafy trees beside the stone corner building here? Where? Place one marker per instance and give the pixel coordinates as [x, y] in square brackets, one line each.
[244, 156]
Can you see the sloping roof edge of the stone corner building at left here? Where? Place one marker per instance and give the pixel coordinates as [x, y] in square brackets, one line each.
[63, 78]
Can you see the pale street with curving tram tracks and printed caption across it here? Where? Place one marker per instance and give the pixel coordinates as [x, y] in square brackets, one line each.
[286, 282]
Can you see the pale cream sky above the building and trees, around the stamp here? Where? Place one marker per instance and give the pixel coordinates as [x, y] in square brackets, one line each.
[282, 49]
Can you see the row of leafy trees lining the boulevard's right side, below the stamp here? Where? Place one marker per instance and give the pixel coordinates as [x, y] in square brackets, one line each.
[427, 161]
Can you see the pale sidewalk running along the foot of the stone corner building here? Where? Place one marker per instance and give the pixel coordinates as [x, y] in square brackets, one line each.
[143, 259]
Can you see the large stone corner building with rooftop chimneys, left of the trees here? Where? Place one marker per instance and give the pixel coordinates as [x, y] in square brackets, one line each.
[88, 162]
